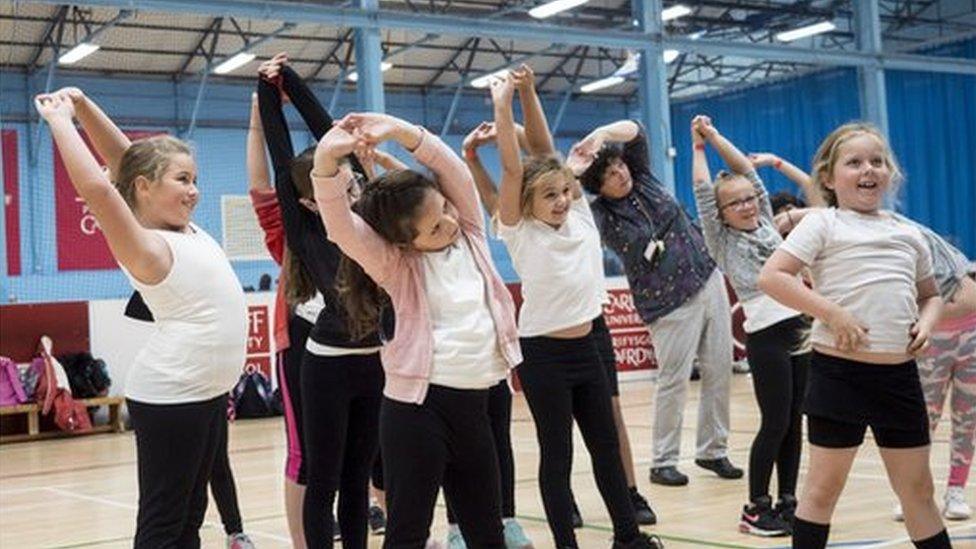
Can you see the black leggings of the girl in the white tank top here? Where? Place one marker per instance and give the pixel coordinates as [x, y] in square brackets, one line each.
[175, 449]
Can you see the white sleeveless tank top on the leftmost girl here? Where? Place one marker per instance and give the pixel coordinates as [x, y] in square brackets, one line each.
[197, 348]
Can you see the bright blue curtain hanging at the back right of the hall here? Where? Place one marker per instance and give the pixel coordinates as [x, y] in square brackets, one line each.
[932, 125]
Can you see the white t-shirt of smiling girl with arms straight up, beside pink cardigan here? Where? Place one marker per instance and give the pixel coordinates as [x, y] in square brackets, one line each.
[563, 284]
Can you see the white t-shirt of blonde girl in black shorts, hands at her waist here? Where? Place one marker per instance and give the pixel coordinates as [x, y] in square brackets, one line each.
[867, 264]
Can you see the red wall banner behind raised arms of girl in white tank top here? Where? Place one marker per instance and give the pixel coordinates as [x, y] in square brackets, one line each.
[81, 245]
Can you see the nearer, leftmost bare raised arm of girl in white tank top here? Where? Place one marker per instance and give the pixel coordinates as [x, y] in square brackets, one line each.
[142, 252]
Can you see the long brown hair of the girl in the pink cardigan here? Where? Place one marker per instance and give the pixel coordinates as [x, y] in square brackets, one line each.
[389, 205]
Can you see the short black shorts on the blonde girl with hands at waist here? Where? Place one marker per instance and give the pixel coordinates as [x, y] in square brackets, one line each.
[845, 397]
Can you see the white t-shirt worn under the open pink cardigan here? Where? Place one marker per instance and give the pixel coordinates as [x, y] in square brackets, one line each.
[466, 352]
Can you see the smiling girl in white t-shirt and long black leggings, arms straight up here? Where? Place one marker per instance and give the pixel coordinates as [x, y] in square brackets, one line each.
[546, 223]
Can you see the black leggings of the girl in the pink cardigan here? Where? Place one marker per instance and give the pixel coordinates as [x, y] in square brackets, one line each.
[446, 441]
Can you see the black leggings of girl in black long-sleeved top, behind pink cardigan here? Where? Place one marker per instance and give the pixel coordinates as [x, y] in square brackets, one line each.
[341, 420]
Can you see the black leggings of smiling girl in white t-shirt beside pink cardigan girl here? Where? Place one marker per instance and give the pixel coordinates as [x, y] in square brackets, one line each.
[564, 379]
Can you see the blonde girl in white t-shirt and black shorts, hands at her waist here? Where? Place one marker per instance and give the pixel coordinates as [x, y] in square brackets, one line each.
[875, 303]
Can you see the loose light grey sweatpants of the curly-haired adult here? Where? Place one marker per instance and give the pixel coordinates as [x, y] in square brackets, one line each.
[701, 327]
